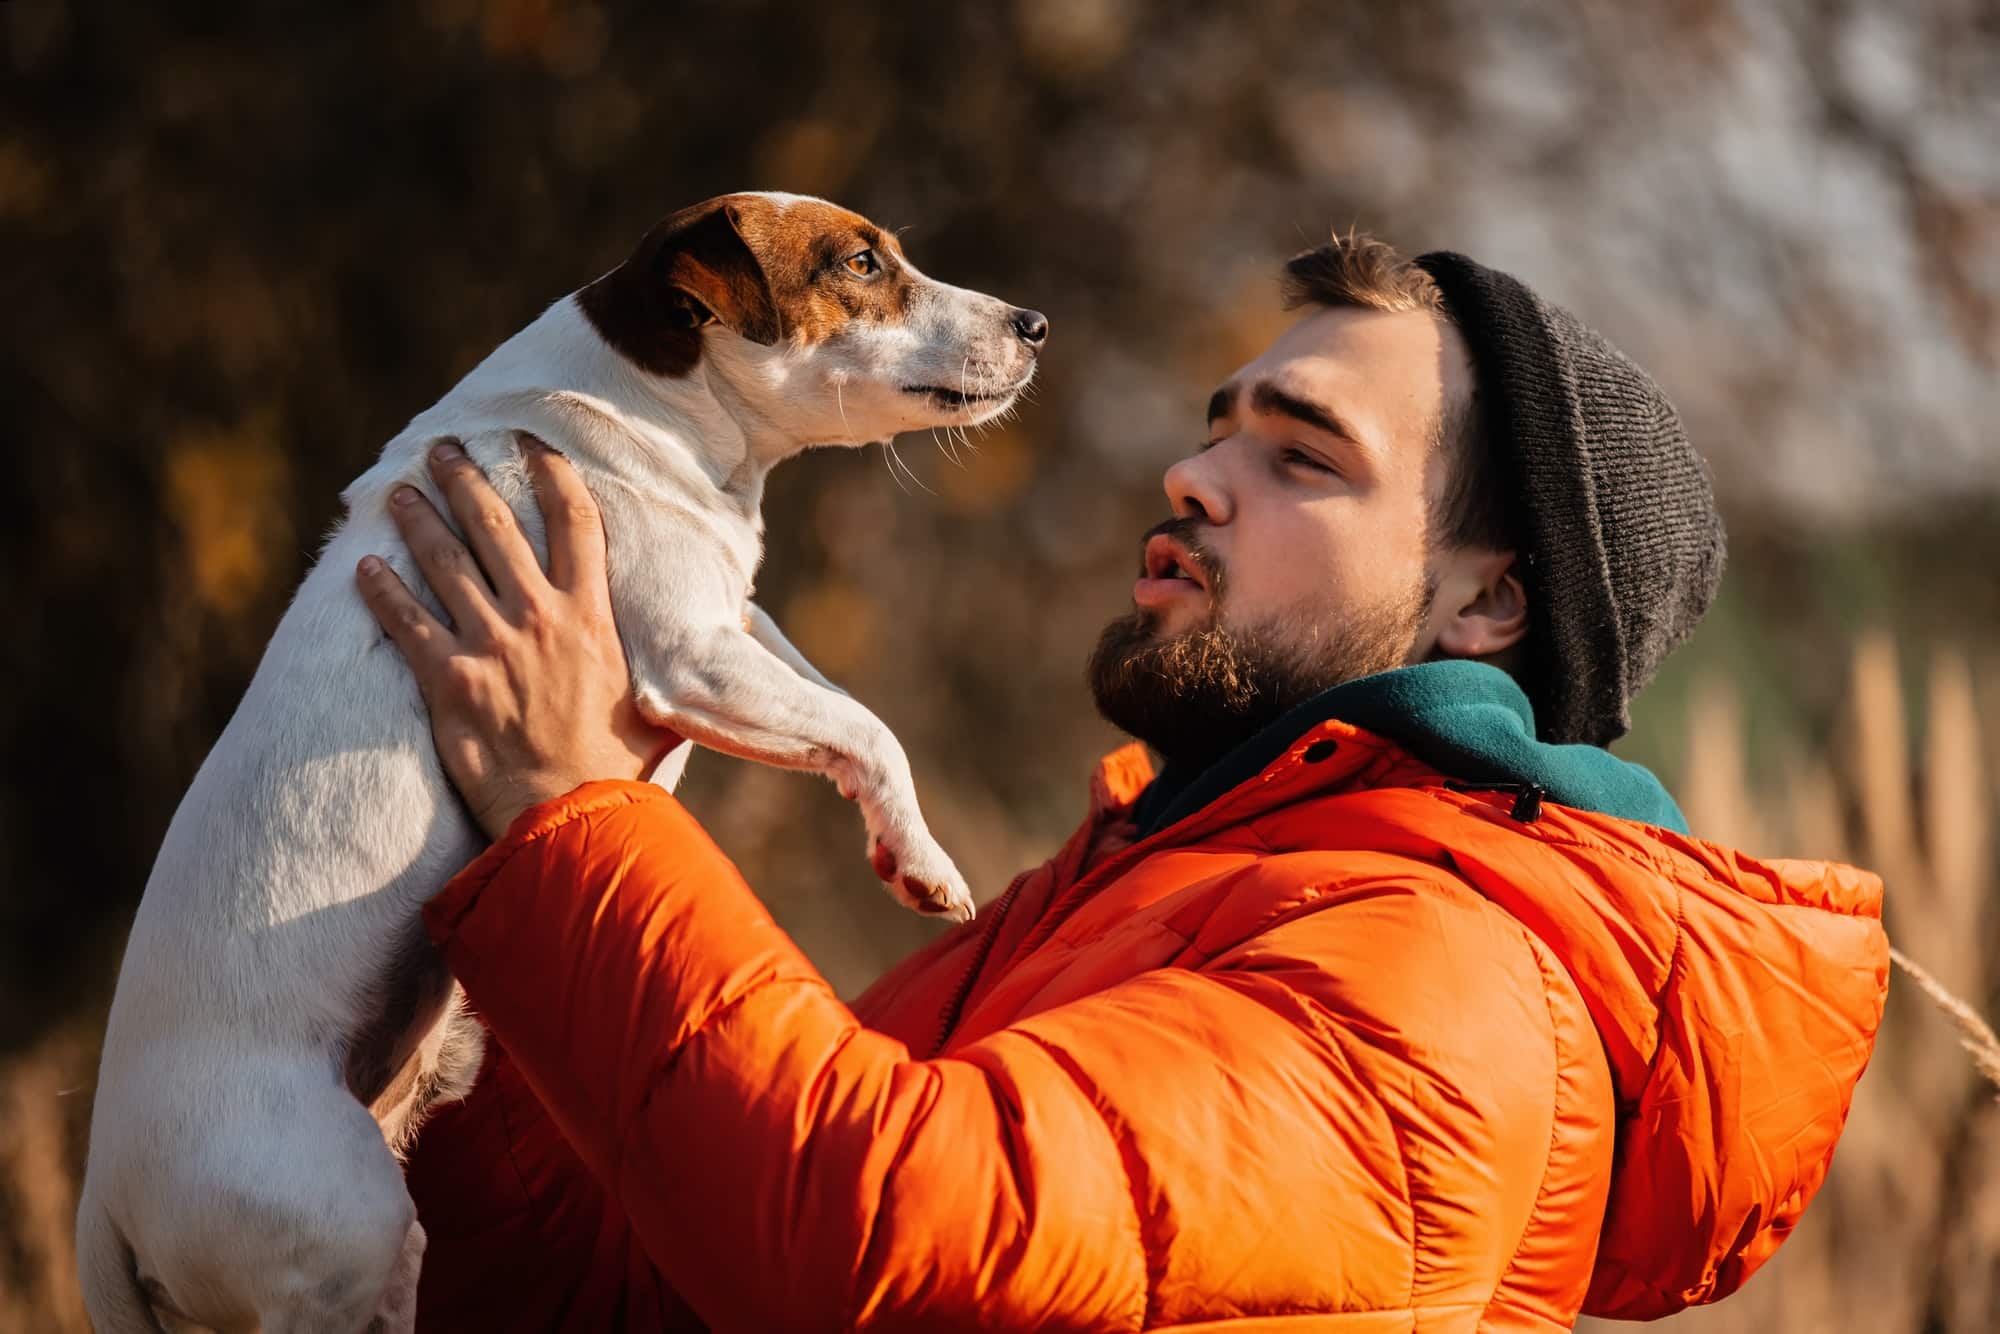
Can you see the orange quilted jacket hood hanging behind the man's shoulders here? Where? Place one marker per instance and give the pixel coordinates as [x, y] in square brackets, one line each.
[1737, 1001]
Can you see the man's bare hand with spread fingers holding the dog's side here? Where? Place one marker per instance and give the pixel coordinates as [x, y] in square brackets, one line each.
[529, 687]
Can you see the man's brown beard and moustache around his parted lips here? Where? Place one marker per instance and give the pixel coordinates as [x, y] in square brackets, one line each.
[1197, 695]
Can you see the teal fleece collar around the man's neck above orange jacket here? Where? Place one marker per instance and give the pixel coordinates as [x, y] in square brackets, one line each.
[1465, 719]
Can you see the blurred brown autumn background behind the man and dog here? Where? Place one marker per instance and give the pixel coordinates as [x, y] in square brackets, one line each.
[243, 243]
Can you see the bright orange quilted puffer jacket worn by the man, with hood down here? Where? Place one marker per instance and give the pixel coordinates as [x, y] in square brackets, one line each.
[1347, 1051]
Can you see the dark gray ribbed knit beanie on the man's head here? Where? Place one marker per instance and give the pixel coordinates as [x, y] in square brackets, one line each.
[1615, 509]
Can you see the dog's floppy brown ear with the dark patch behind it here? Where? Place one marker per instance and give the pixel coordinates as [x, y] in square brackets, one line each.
[691, 271]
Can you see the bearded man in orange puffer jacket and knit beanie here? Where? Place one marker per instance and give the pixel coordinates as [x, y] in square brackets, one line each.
[1395, 1003]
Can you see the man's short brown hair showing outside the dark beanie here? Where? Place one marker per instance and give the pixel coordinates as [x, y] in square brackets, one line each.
[1359, 271]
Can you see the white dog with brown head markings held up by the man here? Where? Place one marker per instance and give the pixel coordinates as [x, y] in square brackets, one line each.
[281, 1023]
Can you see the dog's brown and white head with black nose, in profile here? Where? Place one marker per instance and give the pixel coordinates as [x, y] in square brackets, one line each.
[815, 317]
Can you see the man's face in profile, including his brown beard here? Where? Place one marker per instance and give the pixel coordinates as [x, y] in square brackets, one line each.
[1299, 555]
